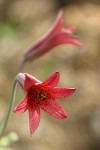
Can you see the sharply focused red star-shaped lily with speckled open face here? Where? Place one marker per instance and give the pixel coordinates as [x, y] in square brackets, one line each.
[41, 95]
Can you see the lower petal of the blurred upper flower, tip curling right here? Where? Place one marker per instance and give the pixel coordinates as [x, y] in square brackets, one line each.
[56, 40]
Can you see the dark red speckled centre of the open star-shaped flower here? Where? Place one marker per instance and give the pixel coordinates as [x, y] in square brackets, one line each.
[37, 94]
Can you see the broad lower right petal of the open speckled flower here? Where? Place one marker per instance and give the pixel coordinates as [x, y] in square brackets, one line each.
[54, 109]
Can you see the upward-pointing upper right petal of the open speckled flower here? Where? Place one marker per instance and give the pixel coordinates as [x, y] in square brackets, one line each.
[52, 80]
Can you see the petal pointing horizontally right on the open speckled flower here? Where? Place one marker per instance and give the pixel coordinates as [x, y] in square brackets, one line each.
[59, 93]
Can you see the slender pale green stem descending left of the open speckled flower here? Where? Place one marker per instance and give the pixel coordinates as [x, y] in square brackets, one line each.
[5, 121]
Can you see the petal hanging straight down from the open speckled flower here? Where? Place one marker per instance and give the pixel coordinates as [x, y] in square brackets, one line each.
[34, 117]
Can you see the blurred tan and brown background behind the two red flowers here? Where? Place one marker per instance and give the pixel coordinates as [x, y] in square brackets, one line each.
[22, 22]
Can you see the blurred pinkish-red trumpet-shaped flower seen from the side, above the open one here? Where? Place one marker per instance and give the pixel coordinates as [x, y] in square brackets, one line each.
[53, 38]
